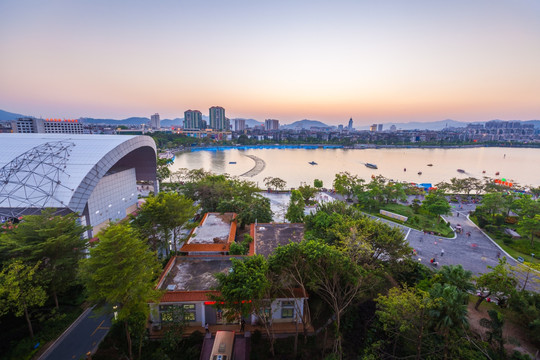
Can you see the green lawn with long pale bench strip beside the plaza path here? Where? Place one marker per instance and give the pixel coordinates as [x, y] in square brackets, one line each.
[418, 221]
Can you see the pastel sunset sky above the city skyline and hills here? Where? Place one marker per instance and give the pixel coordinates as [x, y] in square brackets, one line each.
[375, 61]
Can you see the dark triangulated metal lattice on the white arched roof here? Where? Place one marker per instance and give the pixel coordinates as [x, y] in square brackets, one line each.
[29, 182]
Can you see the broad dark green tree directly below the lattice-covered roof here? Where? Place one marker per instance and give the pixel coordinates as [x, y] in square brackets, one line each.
[56, 242]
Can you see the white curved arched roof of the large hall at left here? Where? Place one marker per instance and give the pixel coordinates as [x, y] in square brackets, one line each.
[61, 170]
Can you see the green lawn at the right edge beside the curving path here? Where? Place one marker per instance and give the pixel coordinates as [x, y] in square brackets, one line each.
[513, 247]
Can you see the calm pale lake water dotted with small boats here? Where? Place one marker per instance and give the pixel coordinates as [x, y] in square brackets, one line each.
[519, 165]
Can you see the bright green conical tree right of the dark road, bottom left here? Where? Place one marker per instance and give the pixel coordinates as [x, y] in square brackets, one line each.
[121, 271]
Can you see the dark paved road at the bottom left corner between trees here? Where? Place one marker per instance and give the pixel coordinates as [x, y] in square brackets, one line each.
[83, 336]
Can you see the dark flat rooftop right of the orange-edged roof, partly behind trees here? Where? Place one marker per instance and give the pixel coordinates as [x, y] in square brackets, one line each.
[268, 237]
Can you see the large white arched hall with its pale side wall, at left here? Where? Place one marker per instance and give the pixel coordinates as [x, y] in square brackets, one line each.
[95, 176]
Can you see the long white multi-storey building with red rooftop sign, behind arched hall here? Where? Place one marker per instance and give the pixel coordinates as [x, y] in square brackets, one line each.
[47, 126]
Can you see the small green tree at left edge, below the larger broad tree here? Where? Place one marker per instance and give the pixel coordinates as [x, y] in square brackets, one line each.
[20, 290]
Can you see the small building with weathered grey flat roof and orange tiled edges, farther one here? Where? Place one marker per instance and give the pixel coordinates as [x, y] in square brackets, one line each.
[214, 235]
